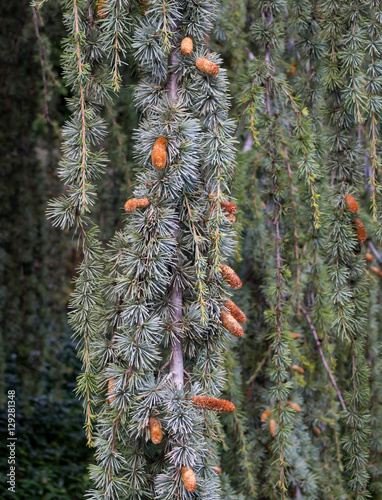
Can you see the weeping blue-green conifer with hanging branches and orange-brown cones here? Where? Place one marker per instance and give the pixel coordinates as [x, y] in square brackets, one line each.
[163, 353]
